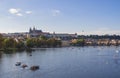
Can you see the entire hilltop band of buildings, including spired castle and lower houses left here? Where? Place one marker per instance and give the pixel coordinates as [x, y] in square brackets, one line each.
[34, 32]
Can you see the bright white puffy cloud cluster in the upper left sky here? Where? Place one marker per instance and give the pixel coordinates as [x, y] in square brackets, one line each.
[18, 12]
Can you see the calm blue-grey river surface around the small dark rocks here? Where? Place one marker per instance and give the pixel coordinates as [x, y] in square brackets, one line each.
[72, 62]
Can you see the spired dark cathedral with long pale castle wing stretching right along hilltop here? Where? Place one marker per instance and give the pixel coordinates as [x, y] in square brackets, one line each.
[64, 36]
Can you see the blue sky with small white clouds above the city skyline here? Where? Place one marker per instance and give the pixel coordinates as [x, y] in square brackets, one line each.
[61, 16]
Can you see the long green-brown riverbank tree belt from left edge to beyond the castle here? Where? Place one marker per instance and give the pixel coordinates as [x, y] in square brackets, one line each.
[13, 43]
